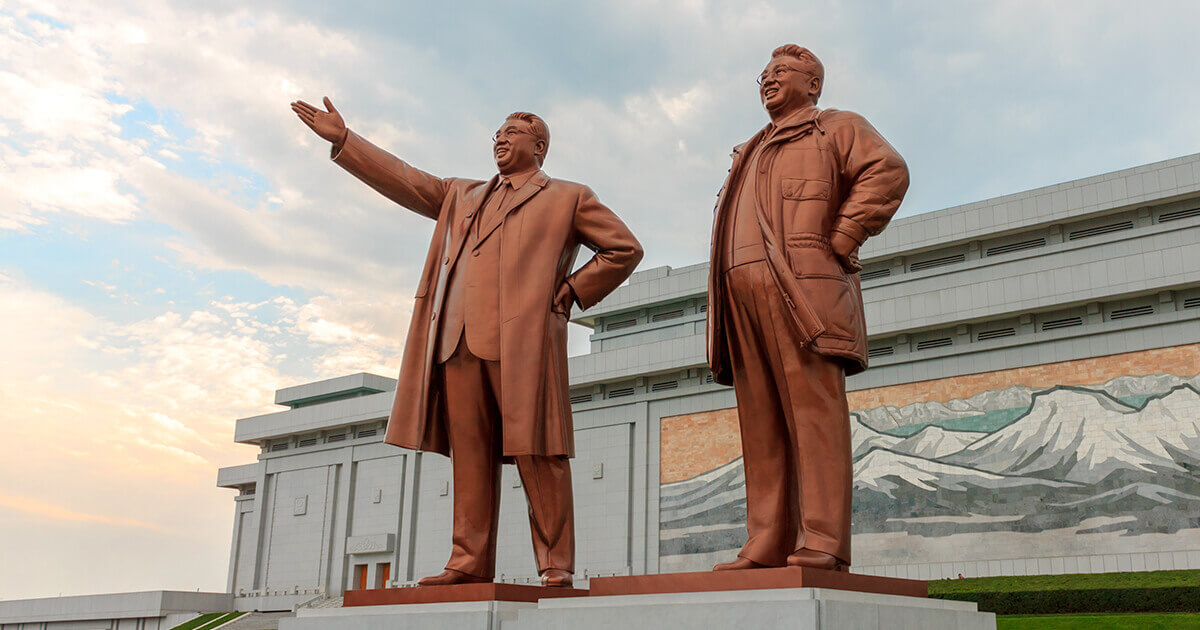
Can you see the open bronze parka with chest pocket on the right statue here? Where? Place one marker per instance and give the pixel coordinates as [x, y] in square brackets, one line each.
[821, 172]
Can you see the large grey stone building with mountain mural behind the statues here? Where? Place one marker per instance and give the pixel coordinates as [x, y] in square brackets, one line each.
[1033, 407]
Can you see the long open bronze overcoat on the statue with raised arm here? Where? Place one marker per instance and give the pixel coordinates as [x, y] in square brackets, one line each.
[541, 233]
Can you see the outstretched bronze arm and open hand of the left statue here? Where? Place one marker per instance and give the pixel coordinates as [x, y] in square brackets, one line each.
[388, 175]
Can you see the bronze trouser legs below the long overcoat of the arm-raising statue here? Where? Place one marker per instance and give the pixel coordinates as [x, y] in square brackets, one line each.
[472, 389]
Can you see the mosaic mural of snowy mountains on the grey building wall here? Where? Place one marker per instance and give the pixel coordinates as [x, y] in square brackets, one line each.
[1054, 461]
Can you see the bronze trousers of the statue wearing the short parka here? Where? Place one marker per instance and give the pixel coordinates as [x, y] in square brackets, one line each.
[795, 427]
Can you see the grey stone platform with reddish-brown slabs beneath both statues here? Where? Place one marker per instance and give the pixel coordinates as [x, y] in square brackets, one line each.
[765, 599]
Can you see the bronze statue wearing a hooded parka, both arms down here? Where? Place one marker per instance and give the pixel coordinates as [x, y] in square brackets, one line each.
[785, 317]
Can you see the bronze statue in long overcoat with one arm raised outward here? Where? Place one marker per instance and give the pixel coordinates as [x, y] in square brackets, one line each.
[484, 374]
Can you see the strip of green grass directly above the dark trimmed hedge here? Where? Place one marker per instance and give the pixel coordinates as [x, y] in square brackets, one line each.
[1066, 583]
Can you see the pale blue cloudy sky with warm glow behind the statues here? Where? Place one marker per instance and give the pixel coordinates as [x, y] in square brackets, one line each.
[176, 245]
